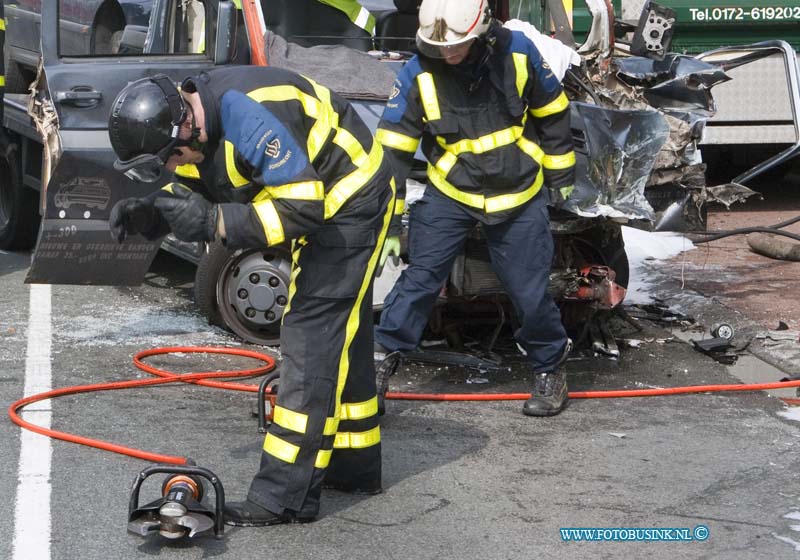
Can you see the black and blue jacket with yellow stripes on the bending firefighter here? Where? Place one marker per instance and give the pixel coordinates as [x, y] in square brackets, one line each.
[294, 155]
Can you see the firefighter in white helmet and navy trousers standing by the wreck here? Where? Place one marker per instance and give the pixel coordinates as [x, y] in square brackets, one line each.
[493, 123]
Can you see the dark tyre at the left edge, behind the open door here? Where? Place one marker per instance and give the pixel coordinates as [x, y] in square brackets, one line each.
[19, 209]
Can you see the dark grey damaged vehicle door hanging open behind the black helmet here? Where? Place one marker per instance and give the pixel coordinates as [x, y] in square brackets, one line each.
[74, 244]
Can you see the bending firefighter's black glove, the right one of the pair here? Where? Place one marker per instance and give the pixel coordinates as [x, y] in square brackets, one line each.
[190, 216]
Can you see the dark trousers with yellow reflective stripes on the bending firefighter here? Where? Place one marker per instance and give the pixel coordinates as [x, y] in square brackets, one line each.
[326, 414]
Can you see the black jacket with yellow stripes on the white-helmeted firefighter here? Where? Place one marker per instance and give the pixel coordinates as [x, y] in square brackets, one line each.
[491, 141]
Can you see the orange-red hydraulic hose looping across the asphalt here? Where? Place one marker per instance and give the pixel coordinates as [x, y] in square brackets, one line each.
[205, 379]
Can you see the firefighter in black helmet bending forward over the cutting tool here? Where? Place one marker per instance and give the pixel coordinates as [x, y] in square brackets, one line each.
[276, 157]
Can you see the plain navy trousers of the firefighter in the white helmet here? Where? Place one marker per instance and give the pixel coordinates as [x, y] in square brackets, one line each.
[521, 250]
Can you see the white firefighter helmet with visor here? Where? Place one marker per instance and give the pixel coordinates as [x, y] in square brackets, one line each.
[447, 27]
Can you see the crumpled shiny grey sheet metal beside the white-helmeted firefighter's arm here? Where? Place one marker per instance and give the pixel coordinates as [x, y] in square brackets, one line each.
[616, 160]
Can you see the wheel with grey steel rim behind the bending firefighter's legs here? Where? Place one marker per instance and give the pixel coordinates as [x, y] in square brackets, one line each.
[244, 291]
